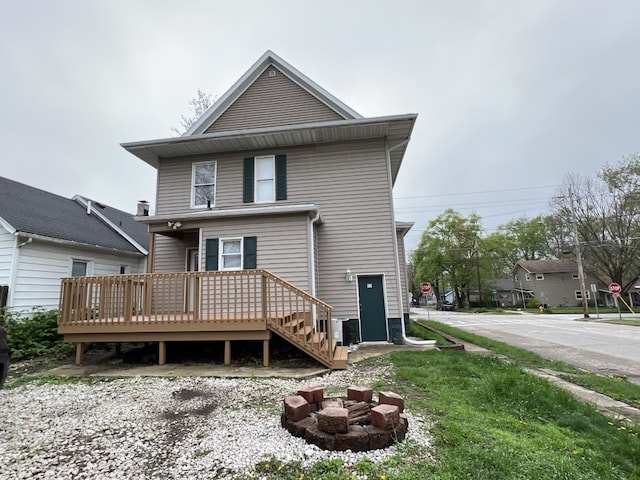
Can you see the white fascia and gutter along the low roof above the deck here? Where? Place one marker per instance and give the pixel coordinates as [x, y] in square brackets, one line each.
[232, 212]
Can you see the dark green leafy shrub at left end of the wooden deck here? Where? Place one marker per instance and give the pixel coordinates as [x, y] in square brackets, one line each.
[35, 335]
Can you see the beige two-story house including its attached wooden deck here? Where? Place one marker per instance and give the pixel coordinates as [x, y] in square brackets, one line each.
[274, 215]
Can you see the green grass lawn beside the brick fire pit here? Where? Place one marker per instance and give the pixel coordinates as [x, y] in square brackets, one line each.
[489, 419]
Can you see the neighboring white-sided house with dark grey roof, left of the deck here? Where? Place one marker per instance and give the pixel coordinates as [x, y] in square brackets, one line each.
[45, 237]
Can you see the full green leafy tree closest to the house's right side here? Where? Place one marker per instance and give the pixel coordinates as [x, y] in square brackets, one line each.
[446, 254]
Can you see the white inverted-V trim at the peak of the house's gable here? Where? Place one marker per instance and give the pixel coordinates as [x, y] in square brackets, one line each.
[269, 58]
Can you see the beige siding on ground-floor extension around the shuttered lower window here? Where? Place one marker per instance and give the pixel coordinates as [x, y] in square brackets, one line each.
[283, 243]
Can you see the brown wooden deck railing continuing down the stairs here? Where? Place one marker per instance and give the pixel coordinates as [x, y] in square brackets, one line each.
[197, 301]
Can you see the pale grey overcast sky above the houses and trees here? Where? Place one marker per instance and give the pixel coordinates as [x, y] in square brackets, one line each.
[511, 95]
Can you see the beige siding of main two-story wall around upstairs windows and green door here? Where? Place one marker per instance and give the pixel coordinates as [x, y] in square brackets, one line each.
[347, 180]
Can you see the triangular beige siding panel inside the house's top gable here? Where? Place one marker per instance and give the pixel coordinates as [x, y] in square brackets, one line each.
[270, 102]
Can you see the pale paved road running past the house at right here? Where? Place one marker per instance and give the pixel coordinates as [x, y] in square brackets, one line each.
[603, 348]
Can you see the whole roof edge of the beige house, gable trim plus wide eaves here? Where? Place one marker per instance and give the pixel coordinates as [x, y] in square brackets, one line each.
[396, 129]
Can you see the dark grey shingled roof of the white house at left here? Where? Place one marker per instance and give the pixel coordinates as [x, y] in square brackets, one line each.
[31, 211]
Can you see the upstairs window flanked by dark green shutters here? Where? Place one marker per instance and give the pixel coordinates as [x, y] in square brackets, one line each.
[264, 179]
